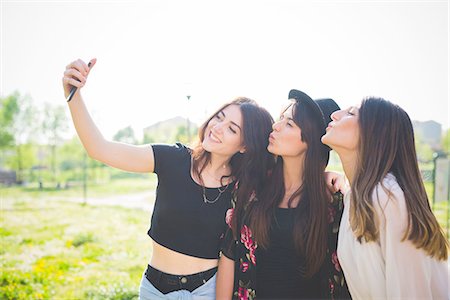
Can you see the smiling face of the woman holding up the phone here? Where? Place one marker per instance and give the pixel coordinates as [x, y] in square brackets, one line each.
[223, 135]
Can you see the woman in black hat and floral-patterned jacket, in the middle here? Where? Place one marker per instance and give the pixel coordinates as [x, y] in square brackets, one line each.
[282, 241]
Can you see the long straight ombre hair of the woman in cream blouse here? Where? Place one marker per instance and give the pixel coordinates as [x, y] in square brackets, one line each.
[387, 146]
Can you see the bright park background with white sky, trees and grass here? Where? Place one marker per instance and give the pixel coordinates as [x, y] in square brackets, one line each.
[73, 228]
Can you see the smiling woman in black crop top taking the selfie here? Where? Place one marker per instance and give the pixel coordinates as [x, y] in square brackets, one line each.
[194, 186]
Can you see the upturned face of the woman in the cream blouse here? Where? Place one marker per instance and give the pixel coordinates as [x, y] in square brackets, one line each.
[343, 132]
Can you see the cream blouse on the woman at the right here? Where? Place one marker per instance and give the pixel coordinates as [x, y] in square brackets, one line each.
[389, 268]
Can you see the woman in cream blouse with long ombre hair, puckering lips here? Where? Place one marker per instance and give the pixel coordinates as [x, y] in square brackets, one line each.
[390, 244]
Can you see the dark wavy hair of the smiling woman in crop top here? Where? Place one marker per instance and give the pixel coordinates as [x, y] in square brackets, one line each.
[249, 169]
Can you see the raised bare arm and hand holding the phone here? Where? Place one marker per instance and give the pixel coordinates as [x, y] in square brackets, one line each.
[131, 158]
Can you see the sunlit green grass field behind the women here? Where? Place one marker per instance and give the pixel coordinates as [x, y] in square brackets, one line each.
[61, 250]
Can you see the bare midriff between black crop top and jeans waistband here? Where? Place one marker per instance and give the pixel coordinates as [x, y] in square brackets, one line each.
[172, 262]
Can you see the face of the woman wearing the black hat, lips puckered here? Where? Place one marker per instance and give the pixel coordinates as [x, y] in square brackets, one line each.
[286, 136]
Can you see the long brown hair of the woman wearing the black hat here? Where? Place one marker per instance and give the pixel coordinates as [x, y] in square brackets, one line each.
[310, 225]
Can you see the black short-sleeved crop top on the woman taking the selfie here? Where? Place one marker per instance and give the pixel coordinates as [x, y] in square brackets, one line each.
[181, 220]
